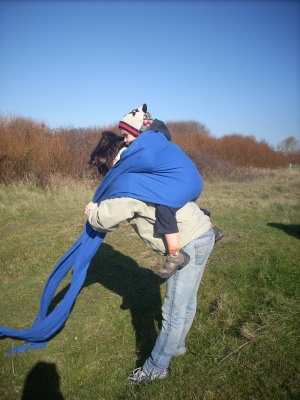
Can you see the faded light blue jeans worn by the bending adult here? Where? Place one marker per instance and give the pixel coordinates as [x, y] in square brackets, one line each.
[179, 308]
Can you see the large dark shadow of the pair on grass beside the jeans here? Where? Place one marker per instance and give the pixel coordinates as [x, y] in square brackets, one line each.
[139, 289]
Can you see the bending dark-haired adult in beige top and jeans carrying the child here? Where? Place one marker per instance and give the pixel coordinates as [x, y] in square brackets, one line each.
[196, 239]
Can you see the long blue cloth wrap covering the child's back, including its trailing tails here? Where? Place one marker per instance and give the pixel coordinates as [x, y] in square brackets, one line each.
[152, 169]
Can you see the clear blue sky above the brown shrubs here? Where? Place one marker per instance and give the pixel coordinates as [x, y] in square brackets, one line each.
[231, 65]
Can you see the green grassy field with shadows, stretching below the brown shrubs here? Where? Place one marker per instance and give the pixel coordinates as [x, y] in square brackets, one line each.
[245, 341]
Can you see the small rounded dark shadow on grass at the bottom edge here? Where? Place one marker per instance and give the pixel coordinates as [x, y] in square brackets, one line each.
[42, 383]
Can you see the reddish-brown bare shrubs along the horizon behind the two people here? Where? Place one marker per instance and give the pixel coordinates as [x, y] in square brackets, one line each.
[31, 151]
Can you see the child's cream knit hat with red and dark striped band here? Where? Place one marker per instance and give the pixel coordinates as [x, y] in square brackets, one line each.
[136, 121]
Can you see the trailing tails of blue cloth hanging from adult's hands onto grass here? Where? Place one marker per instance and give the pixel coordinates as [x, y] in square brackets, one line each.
[47, 324]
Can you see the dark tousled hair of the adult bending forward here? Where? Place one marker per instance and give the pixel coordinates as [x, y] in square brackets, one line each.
[106, 151]
